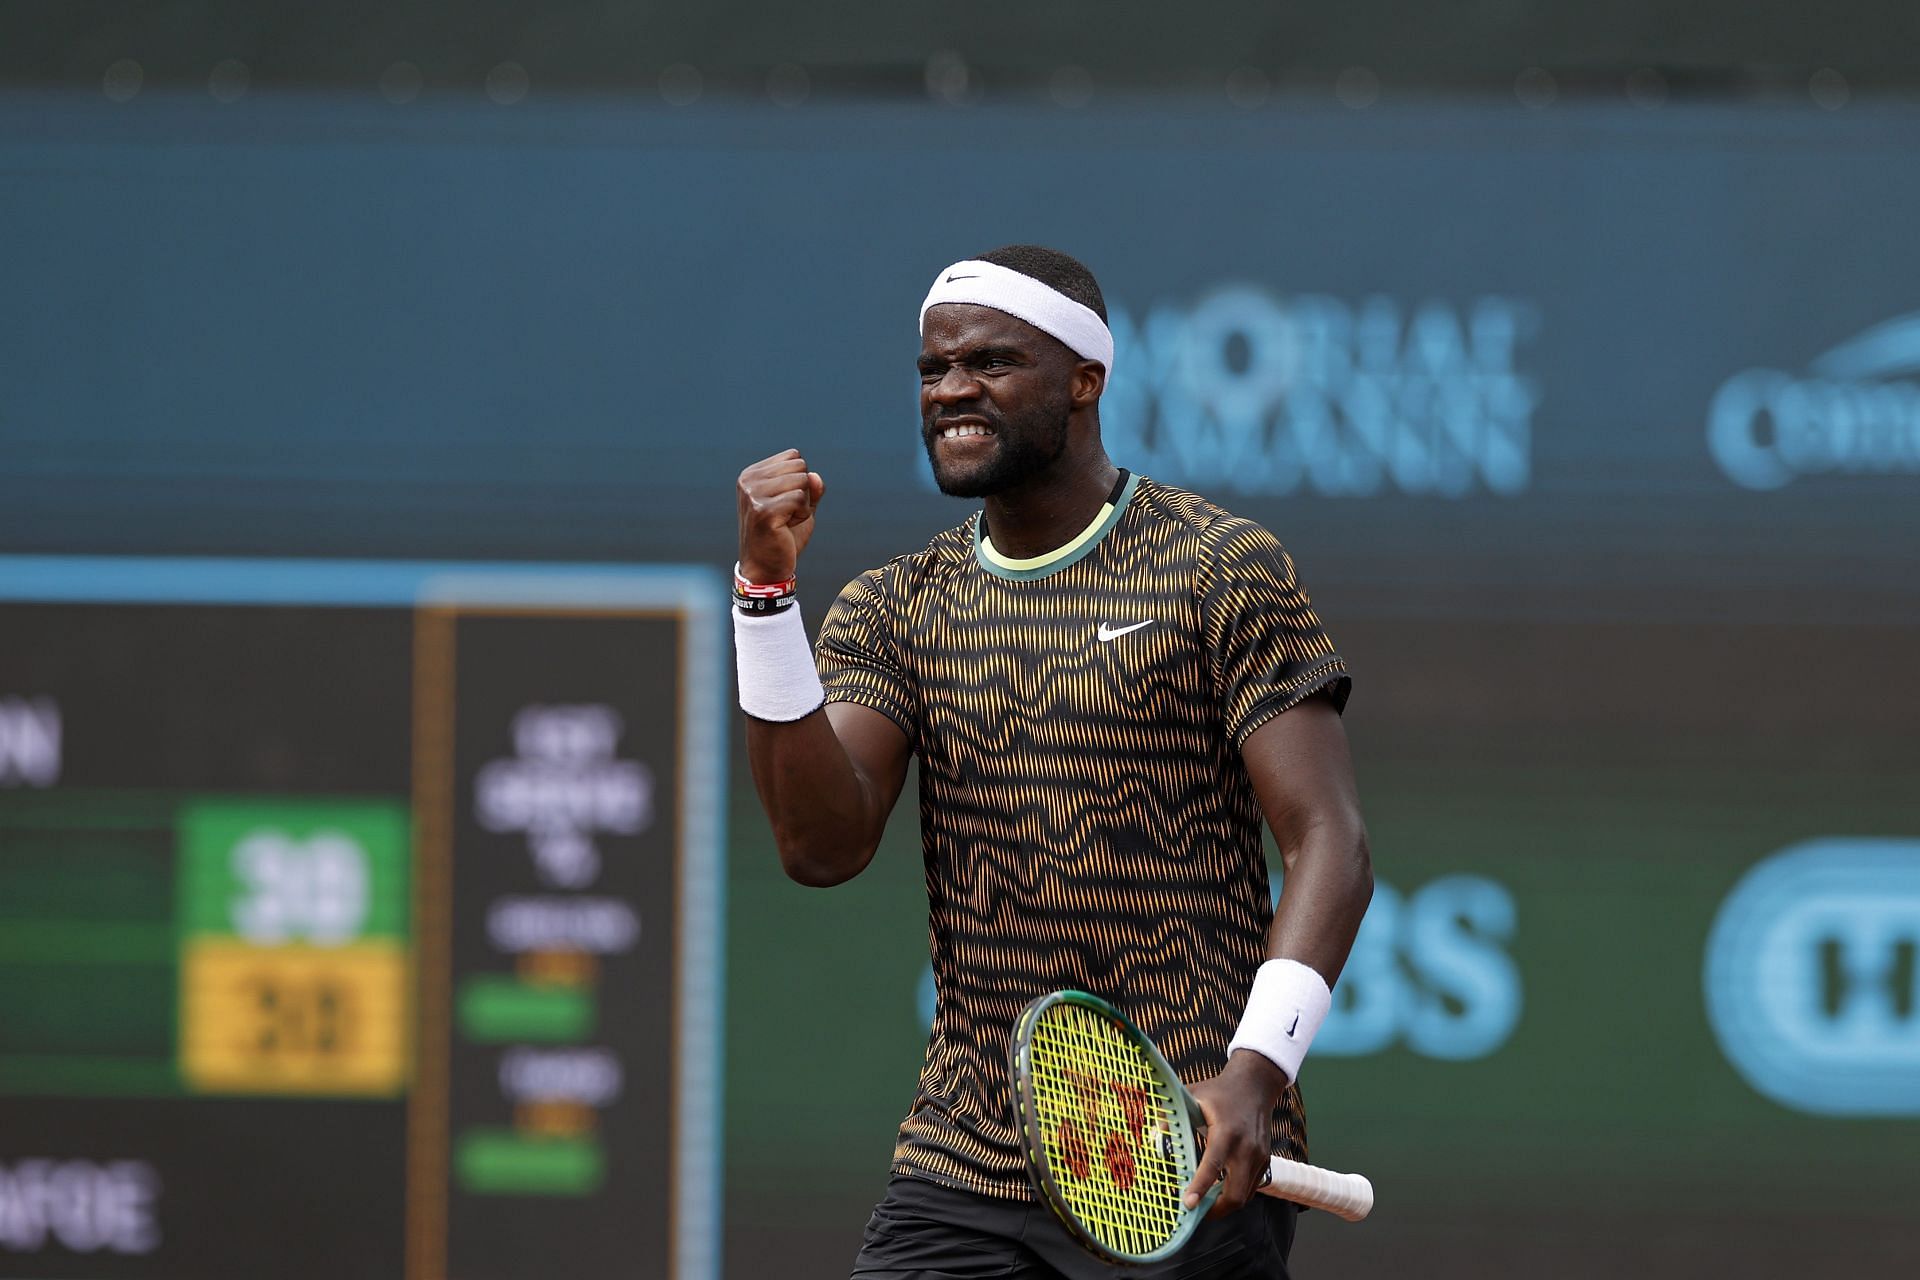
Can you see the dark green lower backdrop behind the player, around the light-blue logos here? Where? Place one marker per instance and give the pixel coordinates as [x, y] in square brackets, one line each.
[1618, 782]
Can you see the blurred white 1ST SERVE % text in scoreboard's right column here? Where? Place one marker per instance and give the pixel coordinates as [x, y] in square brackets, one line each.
[564, 788]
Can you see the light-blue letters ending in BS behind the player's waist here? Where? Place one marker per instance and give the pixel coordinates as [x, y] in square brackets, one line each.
[1428, 970]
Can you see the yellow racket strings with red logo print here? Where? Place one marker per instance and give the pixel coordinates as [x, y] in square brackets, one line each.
[1103, 1112]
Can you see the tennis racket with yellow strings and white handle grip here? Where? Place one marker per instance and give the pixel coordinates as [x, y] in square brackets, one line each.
[1113, 1137]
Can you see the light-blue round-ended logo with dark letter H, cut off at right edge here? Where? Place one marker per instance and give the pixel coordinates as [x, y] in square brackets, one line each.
[1812, 978]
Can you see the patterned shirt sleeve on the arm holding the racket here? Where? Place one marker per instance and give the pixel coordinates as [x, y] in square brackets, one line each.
[1266, 644]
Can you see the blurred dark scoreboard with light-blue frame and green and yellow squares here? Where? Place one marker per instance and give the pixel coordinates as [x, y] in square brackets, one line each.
[360, 920]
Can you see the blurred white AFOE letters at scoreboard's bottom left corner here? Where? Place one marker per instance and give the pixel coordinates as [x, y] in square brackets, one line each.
[80, 1206]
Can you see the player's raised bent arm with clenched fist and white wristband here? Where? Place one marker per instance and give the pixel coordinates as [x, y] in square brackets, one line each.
[828, 776]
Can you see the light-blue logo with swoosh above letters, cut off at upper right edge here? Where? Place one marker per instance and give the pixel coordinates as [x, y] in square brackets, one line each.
[1850, 417]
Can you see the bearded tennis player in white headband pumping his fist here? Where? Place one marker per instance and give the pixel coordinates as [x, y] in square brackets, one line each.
[1107, 682]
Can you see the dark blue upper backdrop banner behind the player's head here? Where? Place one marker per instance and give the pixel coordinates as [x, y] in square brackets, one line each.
[560, 331]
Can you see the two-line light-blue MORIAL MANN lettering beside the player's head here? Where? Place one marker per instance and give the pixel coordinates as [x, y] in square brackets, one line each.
[1251, 394]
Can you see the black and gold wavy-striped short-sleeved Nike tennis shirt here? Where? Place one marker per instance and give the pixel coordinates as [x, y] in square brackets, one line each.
[1086, 815]
